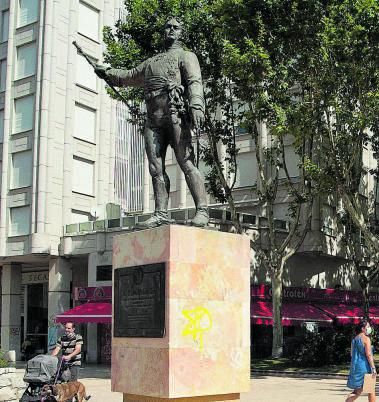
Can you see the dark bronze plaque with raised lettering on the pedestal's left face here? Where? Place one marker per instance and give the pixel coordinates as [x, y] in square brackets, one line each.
[139, 301]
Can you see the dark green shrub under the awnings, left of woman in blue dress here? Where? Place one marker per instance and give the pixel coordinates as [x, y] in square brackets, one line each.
[328, 347]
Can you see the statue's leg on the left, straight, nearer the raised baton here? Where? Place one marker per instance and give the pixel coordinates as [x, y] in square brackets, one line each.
[156, 147]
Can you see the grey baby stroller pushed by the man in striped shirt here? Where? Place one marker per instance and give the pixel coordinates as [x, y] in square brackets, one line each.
[41, 370]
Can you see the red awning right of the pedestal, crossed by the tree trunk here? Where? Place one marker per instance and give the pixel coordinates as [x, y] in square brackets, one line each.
[292, 314]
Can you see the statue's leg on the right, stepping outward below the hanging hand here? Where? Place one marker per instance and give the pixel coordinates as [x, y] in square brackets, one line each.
[185, 156]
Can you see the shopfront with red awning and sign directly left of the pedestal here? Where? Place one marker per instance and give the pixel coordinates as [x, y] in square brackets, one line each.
[93, 305]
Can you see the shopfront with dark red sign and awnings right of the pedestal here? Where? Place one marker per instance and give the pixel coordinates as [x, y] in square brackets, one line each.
[304, 309]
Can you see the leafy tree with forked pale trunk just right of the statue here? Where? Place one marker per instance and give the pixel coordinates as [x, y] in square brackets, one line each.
[262, 41]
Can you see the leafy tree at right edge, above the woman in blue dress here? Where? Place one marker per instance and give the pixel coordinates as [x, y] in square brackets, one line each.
[343, 94]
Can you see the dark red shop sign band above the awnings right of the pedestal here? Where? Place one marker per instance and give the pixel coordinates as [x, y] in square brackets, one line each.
[314, 295]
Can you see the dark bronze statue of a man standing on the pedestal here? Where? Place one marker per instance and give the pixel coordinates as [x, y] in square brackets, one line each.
[174, 98]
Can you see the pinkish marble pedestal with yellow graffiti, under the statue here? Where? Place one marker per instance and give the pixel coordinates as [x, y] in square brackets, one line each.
[205, 353]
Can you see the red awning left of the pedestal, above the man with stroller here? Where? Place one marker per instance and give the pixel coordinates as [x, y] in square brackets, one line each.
[88, 312]
